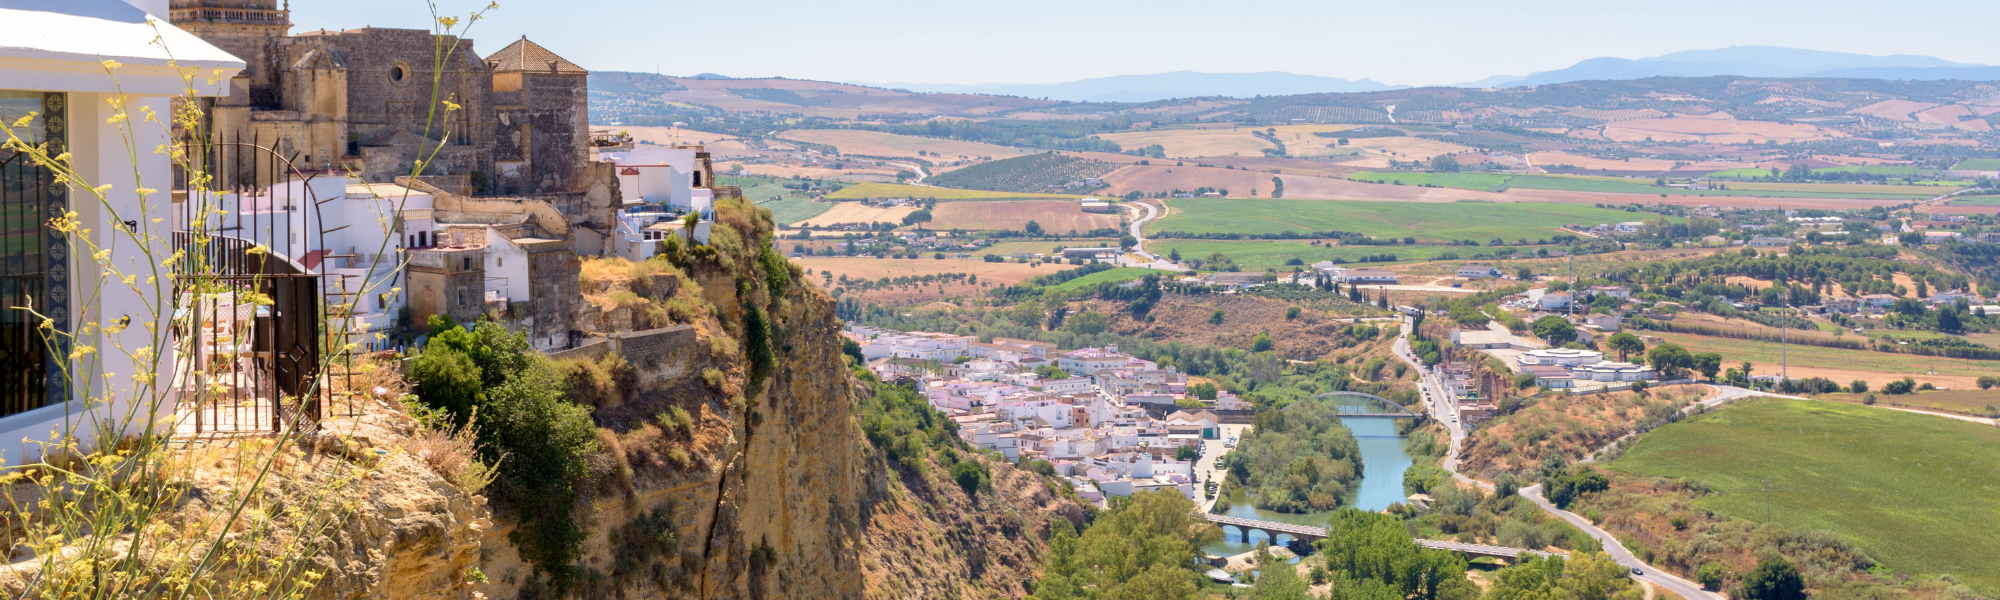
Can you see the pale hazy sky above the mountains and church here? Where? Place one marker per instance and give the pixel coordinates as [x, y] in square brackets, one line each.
[1057, 41]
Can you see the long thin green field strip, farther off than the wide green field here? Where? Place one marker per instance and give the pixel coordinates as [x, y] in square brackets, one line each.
[1499, 183]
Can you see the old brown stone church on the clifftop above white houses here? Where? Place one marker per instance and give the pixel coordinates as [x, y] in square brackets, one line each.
[363, 101]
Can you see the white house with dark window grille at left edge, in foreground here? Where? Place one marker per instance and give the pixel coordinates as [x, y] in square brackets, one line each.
[53, 63]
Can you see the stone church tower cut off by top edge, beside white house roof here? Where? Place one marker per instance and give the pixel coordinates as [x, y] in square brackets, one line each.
[249, 29]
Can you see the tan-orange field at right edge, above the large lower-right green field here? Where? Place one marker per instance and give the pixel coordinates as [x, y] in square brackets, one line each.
[1839, 365]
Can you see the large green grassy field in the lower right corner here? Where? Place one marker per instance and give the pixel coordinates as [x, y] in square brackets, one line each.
[1917, 493]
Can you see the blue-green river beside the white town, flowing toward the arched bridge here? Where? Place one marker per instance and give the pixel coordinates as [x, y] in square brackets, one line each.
[1381, 485]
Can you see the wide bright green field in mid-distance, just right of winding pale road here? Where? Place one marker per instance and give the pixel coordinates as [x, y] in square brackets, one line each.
[1425, 221]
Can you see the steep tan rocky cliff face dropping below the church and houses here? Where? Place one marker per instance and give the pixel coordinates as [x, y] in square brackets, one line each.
[765, 491]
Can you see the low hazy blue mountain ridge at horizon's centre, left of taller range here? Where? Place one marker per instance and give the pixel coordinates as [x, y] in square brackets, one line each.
[1163, 87]
